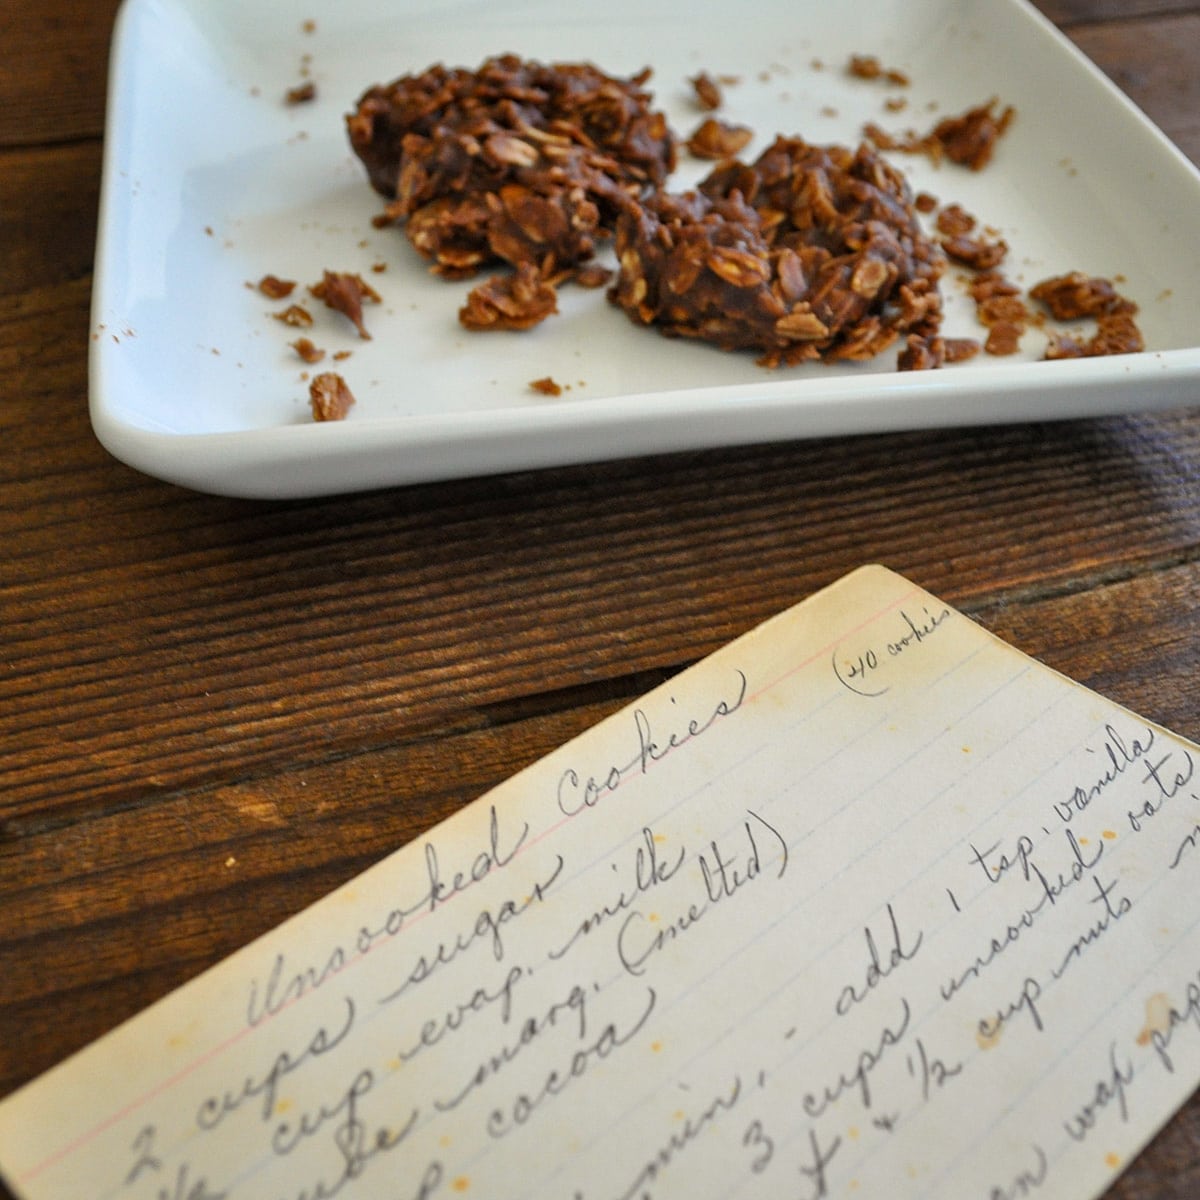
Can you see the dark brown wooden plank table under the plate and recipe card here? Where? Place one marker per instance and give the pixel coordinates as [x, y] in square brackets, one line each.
[213, 712]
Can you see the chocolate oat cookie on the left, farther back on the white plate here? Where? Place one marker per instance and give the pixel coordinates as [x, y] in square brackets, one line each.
[517, 163]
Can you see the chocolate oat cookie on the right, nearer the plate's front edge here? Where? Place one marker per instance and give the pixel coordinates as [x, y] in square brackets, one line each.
[811, 253]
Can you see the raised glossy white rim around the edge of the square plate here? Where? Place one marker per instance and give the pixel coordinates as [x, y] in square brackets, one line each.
[260, 463]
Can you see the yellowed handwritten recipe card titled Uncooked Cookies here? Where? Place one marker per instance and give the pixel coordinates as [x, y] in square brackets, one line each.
[867, 904]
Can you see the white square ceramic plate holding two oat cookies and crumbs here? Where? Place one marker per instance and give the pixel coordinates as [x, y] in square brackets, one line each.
[212, 182]
